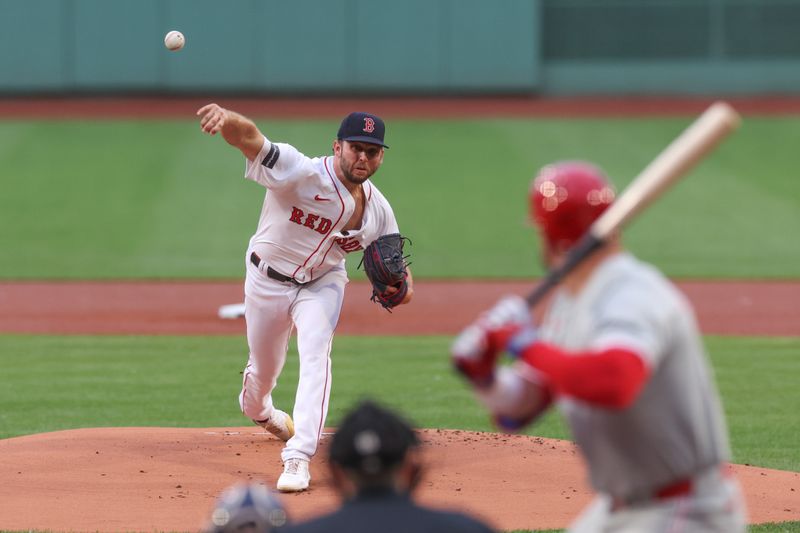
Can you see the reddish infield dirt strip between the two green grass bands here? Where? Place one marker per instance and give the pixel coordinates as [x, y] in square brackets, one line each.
[440, 307]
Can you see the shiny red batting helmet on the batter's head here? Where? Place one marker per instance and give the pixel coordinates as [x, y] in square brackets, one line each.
[566, 198]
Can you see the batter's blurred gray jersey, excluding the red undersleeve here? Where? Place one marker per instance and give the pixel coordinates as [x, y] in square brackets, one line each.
[675, 428]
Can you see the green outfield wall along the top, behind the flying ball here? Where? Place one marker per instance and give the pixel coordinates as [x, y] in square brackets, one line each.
[395, 47]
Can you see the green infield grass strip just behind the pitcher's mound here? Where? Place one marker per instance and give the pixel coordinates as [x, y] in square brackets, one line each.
[50, 383]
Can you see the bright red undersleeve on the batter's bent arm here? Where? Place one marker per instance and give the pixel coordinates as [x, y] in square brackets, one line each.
[609, 378]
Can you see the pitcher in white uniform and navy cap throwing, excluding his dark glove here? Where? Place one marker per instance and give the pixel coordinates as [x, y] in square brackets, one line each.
[315, 212]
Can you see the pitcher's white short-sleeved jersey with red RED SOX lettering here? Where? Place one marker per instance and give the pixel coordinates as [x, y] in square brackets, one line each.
[305, 208]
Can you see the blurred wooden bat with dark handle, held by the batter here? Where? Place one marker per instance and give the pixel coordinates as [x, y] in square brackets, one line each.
[683, 153]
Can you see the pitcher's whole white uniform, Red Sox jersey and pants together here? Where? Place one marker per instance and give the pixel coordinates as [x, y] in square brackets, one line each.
[300, 235]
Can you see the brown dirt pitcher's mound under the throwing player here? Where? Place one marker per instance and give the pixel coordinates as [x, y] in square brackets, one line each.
[166, 479]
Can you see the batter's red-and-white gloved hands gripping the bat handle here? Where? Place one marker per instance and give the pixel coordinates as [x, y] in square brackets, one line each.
[478, 347]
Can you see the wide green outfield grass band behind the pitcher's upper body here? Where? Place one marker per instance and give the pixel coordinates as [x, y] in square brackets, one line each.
[127, 199]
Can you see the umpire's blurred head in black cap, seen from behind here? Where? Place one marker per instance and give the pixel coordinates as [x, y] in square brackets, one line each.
[374, 448]
